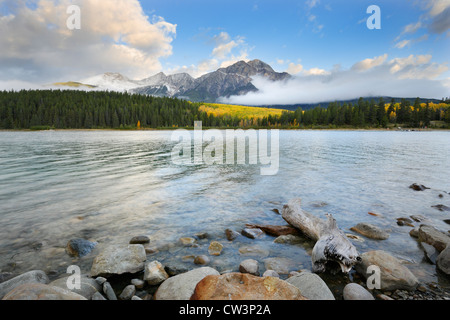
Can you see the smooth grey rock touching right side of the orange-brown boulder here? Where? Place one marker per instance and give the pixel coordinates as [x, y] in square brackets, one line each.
[311, 286]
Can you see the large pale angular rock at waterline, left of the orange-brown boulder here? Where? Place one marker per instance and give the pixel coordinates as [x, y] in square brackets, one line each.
[116, 260]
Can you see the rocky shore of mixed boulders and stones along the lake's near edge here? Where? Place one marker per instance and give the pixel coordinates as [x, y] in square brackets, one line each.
[128, 271]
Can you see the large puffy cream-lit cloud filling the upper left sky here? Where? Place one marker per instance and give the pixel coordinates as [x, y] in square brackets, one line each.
[118, 37]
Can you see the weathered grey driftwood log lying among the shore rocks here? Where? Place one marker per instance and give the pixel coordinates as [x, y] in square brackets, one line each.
[331, 243]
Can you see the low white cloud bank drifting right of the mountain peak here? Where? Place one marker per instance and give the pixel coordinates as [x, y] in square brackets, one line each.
[410, 76]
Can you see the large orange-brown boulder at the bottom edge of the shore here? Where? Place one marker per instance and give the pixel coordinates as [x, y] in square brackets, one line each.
[244, 286]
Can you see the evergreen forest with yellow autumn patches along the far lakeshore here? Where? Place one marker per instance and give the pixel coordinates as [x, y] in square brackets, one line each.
[72, 109]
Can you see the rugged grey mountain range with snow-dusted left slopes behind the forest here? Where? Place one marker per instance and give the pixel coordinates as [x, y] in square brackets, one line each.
[224, 82]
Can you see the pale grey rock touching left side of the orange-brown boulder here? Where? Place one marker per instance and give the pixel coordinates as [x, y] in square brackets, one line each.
[182, 286]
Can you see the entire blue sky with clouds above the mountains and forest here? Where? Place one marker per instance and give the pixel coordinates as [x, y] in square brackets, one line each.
[326, 45]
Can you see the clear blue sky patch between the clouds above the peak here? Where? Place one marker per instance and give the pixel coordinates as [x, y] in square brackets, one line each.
[317, 34]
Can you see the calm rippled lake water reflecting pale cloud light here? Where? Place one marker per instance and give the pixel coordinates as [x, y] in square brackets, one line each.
[108, 186]
